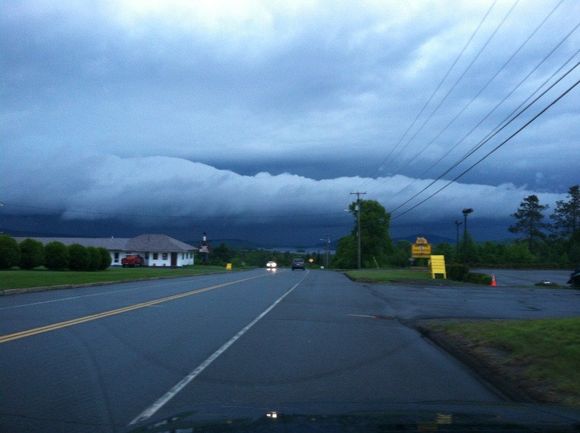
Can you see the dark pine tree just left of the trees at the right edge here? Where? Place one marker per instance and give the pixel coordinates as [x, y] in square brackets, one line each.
[529, 221]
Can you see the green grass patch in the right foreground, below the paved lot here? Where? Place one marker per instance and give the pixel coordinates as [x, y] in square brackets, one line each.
[548, 350]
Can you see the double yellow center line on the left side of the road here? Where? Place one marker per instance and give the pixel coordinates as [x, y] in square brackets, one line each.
[60, 325]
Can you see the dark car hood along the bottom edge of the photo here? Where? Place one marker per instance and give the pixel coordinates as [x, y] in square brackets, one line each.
[415, 417]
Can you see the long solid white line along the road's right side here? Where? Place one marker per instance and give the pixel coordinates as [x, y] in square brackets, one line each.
[151, 410]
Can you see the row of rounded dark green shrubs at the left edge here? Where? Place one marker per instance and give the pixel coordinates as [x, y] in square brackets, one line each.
[30, 254]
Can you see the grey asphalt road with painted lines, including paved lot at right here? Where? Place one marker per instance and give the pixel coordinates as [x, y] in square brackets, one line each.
[98, 359]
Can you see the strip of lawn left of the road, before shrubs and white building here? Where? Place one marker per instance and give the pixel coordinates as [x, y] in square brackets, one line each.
[17, 279]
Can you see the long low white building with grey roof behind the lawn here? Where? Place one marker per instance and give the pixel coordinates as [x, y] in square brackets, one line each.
[157, 250]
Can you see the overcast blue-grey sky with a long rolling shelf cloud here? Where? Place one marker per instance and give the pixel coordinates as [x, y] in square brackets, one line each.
[251, 111]
